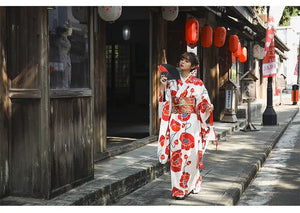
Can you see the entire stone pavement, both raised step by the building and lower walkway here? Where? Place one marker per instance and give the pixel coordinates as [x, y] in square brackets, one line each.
[138, 174]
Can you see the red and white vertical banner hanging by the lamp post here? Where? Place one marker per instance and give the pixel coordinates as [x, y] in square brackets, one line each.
[269, 64]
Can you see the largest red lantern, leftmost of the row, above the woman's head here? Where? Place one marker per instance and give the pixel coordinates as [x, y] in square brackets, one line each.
[191, 31]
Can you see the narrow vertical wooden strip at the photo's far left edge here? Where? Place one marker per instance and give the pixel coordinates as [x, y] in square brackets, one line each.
[4, 170]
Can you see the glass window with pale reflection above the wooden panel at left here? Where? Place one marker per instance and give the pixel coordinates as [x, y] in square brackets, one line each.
[69, 47]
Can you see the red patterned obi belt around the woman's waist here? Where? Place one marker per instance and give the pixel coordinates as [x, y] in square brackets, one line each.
[183, 105]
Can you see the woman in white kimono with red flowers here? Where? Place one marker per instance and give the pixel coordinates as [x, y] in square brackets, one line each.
[183, 127]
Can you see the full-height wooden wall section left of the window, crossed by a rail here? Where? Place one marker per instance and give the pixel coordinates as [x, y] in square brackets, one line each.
[27, 68]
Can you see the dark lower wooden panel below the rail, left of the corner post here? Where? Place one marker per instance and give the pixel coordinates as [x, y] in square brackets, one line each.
[25, 161]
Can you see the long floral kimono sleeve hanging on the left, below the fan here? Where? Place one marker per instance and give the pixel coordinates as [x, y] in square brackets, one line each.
[163, 148]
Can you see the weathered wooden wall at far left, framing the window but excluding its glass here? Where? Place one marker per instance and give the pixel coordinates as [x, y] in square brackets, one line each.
[46, 134]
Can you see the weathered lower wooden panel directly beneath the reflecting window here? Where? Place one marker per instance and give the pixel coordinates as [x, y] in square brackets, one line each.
[71, 138]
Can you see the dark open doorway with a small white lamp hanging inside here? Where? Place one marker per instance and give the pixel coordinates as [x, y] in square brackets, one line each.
[127, 60]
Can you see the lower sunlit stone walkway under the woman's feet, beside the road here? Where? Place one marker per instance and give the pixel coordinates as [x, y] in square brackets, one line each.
[227, 172]
